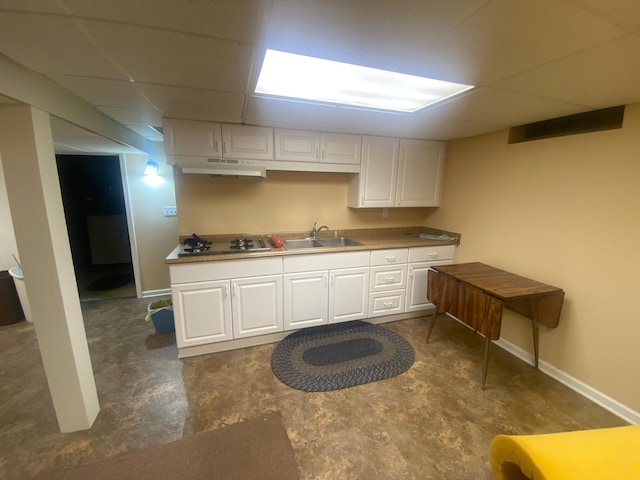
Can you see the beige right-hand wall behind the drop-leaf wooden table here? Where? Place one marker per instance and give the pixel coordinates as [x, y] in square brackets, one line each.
[565, 211]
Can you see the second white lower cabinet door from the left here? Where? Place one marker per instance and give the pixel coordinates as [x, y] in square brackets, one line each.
[257, 305]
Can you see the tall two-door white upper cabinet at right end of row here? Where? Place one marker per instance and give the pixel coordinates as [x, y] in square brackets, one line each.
[398, 173]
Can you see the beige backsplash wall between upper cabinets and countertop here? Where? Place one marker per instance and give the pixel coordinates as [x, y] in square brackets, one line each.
[283, 202]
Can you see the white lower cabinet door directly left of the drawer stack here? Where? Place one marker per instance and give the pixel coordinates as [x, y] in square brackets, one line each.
[348, 295]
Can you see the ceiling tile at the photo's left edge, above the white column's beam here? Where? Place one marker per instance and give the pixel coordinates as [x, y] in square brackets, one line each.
[52, 45]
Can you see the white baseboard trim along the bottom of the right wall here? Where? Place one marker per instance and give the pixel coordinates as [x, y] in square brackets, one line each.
[597, 397]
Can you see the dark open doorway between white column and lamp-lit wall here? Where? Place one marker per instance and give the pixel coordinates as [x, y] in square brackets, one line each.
[95, 212]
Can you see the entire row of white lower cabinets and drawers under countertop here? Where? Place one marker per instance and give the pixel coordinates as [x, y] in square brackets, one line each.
[235, 299]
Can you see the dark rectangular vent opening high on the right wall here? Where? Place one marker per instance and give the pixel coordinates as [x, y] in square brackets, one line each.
[594, 121]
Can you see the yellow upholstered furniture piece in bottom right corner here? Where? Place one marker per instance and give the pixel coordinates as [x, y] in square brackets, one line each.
[602, 454]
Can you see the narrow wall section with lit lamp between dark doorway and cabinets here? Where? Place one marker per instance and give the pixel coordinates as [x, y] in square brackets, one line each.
[156, 235]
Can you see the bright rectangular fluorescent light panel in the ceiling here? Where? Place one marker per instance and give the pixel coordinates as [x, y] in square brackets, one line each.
[316, 79]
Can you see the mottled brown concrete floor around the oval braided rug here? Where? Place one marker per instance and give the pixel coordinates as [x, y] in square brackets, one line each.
[432, 422]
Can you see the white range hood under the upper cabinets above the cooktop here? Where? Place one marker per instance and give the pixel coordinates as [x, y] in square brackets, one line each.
[221, 166]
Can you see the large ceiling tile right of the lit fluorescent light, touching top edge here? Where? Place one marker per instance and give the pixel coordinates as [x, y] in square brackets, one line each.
[507, 38]
